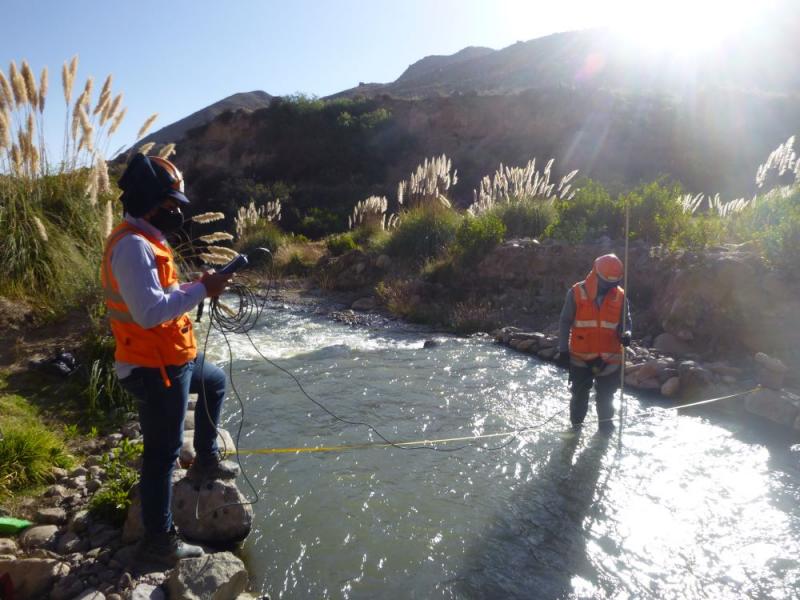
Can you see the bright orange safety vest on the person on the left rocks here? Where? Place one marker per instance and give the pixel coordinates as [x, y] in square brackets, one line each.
[169, 343]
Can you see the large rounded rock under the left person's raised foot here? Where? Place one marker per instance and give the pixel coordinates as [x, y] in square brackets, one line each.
[224, 515]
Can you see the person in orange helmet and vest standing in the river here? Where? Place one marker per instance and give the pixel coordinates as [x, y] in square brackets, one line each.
[594, 326]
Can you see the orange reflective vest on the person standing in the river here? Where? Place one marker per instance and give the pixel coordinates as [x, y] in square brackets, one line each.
[594, 331]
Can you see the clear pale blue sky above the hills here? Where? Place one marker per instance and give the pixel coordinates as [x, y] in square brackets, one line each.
[176, 57]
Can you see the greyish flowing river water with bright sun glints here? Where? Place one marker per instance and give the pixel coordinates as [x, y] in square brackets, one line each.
[689, 505]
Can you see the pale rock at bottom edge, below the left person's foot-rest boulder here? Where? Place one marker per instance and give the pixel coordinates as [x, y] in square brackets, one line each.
[219, 576]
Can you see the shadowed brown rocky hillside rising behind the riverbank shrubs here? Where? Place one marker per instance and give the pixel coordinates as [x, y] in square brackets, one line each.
[587, 99]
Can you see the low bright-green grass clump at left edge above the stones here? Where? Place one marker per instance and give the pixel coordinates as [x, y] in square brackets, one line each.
[28, 453]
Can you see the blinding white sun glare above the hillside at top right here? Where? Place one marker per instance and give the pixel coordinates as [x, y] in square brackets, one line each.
[683, 27]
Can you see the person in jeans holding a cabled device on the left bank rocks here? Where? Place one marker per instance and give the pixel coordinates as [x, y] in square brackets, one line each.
[156, 353]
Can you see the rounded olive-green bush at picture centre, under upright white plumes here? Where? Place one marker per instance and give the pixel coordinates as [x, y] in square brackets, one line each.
[423, 233]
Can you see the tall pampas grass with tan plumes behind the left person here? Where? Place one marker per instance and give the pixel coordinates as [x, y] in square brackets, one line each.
[55, 210]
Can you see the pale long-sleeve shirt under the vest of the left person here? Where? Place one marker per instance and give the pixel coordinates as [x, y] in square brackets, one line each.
[133, 264]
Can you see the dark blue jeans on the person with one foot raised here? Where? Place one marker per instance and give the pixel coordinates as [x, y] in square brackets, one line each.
[161, 413]
